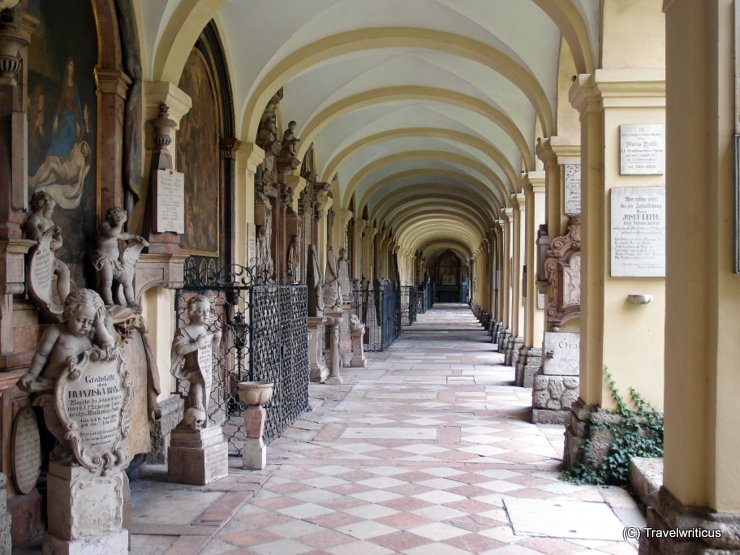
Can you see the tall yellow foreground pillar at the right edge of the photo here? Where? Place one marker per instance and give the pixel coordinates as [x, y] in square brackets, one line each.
[701, 455]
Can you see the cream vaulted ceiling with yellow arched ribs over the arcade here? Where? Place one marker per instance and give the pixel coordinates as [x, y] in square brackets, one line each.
[425, 111]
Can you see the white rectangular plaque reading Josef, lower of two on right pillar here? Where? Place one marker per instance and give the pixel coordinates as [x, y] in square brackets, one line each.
[638, 231]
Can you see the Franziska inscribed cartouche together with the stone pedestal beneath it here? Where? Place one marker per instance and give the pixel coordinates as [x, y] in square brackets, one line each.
[86, 495]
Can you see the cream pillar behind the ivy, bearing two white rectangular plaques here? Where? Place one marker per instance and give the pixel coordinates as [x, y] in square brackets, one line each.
[607, 101]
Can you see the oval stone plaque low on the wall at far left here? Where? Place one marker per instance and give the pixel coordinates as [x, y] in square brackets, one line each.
[26, 450]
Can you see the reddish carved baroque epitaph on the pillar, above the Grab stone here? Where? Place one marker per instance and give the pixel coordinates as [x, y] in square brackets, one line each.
[563, 273]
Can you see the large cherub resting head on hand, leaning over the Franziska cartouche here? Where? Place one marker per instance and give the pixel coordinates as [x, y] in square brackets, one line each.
[84, 325]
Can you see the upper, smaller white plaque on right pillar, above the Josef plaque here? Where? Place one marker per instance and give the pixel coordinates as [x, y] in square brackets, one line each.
[642, 149]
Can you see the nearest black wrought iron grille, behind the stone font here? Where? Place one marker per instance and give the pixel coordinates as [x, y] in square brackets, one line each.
[265, 338]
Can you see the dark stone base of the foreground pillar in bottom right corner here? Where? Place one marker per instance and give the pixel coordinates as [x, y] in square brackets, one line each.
[702, 530]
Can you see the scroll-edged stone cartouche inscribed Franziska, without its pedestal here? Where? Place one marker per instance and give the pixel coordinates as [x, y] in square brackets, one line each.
[92, 397]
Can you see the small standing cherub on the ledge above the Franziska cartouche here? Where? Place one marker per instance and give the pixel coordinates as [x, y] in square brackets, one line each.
[108, 261]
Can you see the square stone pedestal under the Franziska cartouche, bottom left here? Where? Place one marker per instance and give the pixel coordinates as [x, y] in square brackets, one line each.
[85, 511]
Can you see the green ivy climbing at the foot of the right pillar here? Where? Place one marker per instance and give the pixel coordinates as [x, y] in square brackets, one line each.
[637, 432]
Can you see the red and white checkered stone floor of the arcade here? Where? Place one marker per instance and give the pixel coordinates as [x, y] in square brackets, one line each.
[427, 451]
